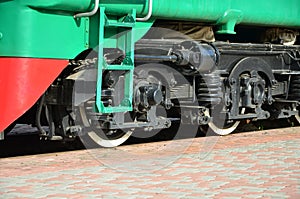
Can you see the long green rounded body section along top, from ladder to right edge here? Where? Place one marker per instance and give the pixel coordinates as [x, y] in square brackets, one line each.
[225, 13]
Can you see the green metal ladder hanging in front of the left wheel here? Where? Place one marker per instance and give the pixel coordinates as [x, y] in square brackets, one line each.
[125, 40]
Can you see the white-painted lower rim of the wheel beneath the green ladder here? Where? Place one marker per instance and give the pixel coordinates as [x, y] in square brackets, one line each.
[101, 137]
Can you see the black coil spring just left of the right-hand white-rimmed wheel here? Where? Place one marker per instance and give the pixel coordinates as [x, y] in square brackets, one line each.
[210, 89]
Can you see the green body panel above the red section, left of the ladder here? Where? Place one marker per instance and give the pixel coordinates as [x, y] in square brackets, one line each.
[35, 32]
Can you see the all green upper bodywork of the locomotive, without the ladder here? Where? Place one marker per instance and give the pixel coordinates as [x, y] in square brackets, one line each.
[47, 29]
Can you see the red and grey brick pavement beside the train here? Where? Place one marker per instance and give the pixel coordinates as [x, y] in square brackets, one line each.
[262, 164]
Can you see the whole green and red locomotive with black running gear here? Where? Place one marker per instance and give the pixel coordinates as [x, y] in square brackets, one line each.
[103, 69]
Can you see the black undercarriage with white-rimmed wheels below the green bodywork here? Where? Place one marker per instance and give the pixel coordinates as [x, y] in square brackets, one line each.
[208, 85]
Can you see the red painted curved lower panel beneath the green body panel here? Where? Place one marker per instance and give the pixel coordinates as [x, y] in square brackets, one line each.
[22, 82]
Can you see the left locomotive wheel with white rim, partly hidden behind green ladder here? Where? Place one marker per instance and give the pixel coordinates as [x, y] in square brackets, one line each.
[94, 133]
